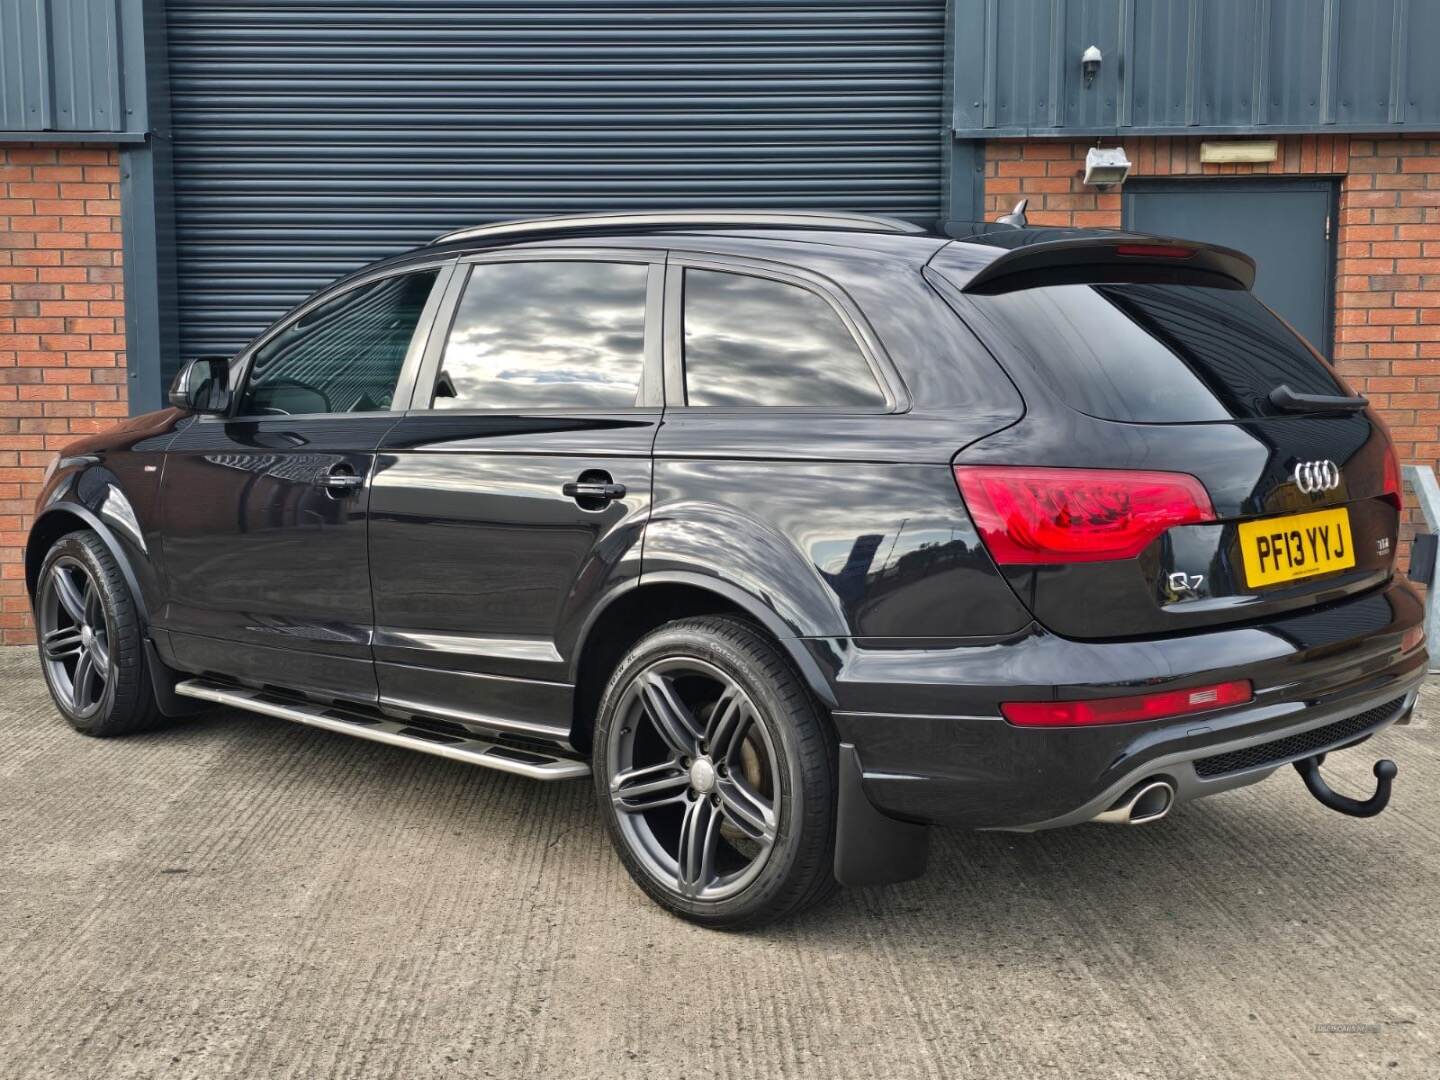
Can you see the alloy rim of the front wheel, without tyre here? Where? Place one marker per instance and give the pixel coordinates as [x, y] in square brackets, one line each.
[76, 636]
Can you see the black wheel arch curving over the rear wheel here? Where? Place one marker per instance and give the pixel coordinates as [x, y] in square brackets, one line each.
[653, 601]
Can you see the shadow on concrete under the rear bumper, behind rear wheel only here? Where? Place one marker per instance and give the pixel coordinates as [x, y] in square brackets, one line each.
[1259, 860]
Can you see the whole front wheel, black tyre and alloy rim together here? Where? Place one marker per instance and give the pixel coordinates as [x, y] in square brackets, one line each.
[91, 640]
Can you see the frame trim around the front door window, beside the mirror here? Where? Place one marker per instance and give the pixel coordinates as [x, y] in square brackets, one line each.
[410, 369]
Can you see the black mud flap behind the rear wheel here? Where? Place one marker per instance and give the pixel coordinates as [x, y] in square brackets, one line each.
[870, 847]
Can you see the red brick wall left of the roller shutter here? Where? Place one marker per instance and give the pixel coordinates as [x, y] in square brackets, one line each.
[63, 335]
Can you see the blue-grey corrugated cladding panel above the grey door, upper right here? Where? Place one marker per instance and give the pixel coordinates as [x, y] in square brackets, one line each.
[1196, 67]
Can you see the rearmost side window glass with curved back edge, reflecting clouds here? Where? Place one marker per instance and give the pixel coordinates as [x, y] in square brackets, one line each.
[760, 342]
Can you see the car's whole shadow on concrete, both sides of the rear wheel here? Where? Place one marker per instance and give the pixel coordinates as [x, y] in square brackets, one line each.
[1258, 859]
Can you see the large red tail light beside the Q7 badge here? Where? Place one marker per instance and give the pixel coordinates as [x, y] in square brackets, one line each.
[1029, 516]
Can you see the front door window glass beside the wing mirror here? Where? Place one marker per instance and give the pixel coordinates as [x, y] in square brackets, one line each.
[342, 356]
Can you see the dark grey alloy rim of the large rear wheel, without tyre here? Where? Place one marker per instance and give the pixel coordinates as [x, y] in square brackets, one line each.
[695, 778]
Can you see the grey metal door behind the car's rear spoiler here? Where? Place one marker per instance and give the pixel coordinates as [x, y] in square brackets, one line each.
[1284, 225]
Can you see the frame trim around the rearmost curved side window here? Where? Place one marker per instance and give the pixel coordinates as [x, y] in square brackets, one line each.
[895, 392]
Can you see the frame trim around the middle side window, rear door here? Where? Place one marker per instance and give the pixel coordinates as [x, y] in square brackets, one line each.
[649, 398]
